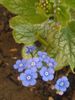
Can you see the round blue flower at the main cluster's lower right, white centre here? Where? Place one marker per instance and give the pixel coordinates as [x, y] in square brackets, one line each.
[47, 73]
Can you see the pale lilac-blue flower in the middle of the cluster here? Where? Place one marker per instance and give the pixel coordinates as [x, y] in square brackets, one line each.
[34, 63]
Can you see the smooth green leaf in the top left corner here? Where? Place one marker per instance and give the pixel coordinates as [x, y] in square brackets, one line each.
[25, 8]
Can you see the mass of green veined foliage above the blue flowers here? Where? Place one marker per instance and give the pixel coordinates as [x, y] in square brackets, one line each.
[50, 22]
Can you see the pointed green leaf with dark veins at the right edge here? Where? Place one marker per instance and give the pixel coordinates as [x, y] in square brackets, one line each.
[67, 43]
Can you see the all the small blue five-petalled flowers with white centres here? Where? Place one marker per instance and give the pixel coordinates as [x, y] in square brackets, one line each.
[43, 65]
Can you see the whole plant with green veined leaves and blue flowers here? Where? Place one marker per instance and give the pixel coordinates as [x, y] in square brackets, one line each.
[52, 23]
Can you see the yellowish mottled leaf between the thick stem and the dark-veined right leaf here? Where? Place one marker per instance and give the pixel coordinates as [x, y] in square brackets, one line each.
[52, 47]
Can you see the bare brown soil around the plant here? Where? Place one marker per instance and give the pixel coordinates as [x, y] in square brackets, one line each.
[10, 88]
